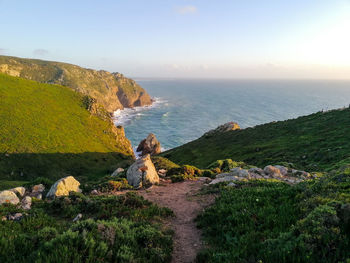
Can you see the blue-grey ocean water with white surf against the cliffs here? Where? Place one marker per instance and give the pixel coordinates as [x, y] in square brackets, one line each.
[185, 109]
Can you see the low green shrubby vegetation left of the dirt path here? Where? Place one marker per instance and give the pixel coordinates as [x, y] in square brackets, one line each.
[113, 229]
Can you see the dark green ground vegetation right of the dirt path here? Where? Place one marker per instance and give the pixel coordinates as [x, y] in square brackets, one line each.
[275, 222]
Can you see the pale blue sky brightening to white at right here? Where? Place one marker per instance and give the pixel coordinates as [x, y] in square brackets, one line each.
[184, 38]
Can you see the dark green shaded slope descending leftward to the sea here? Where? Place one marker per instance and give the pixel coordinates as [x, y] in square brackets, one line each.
[314, 142]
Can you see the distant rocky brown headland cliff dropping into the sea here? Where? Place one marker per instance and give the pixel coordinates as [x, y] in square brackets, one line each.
[112, 90]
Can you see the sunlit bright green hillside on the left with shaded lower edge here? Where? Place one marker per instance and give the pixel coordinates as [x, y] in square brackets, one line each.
[45, 130]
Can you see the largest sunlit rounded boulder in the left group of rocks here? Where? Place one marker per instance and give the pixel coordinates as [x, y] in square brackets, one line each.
[63, 186]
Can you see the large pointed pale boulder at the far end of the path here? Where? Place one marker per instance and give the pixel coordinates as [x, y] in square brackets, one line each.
[142, 172]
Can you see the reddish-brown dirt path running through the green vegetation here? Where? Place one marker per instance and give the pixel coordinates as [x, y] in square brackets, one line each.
[182, 199]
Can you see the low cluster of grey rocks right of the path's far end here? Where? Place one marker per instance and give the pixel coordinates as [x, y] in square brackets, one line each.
[277, 172]
